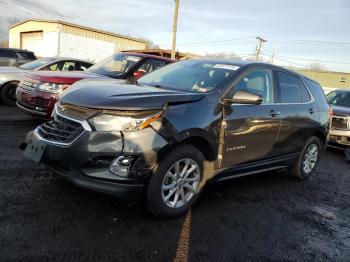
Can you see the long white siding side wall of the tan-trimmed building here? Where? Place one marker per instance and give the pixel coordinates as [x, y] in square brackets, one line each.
[76, 46]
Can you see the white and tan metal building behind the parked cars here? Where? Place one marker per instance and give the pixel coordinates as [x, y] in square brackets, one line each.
[50, 38]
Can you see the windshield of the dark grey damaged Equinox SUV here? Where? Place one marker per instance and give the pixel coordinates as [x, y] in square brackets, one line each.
[190, 76]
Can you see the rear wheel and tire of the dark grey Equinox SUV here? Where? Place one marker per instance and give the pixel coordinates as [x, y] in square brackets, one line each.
[308, 160]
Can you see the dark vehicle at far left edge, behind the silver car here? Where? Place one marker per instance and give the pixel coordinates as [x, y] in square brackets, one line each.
[15, 57]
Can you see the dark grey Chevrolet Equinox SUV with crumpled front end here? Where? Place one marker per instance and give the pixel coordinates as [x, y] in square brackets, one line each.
[177, 128]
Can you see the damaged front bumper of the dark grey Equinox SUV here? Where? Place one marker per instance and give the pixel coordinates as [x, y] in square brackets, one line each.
[90, 160]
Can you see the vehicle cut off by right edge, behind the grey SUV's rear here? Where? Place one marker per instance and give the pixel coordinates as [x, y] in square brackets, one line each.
[340, 130]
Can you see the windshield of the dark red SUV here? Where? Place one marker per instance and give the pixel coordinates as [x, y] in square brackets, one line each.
[115, 65]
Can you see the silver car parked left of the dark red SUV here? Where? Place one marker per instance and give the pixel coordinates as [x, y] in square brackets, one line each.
[11, 76]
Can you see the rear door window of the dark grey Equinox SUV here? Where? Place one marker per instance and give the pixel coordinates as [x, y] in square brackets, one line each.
[288, 90]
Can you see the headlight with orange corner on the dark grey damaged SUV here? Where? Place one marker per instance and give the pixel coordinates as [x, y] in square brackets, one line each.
[107, 122]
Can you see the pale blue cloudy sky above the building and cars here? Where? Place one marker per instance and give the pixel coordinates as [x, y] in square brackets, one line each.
[303, 31]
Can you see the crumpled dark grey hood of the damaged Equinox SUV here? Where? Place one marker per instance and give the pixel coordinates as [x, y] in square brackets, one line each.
[121, 95]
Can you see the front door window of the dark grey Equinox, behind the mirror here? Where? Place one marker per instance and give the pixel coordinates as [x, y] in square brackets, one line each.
[259, 81]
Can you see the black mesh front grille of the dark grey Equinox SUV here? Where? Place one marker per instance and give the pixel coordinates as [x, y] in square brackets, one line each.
[60, 130]
